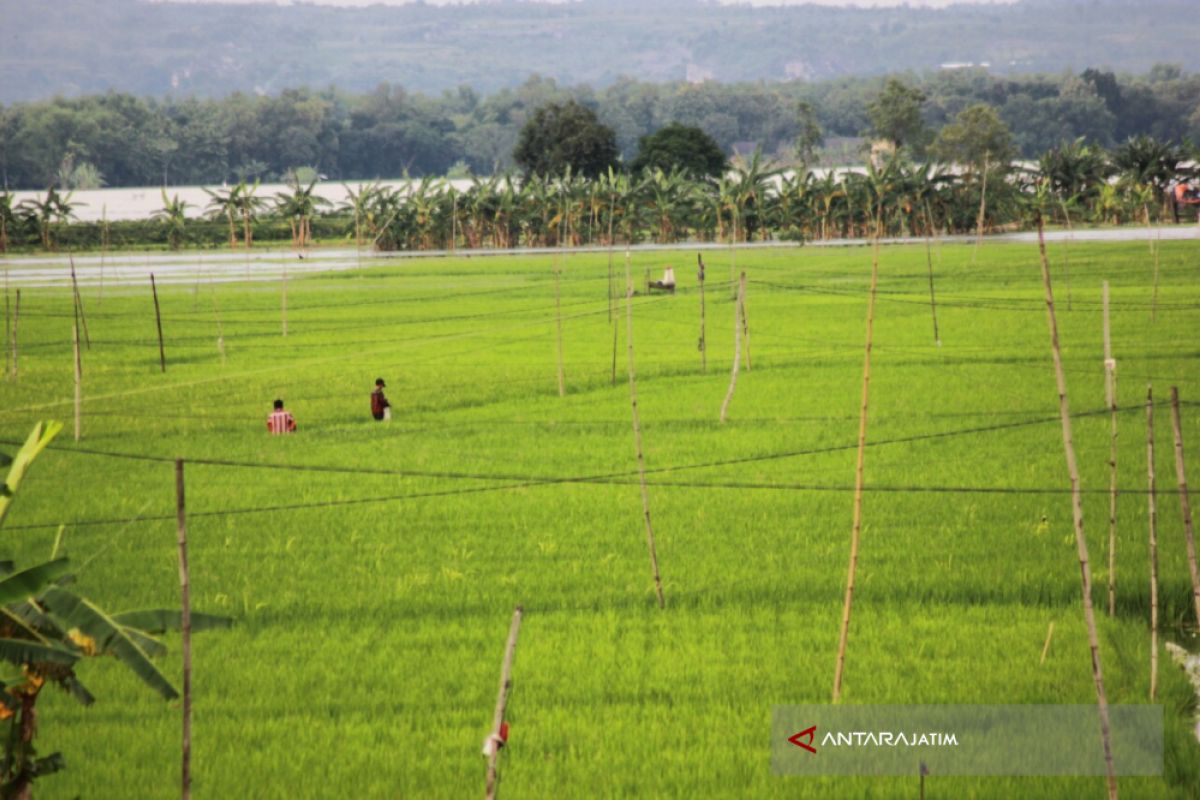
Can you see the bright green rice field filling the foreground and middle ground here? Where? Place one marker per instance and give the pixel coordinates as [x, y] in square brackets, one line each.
[373, 569]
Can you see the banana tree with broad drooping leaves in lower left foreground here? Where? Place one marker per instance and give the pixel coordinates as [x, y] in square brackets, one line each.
[49, 629]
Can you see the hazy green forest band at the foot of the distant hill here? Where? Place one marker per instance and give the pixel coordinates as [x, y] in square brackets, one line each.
[118, 140]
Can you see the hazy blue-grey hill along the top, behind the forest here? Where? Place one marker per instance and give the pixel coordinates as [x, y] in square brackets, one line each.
[74, 47]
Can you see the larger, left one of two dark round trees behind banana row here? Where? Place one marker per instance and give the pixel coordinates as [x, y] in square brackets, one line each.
[562, 136]
